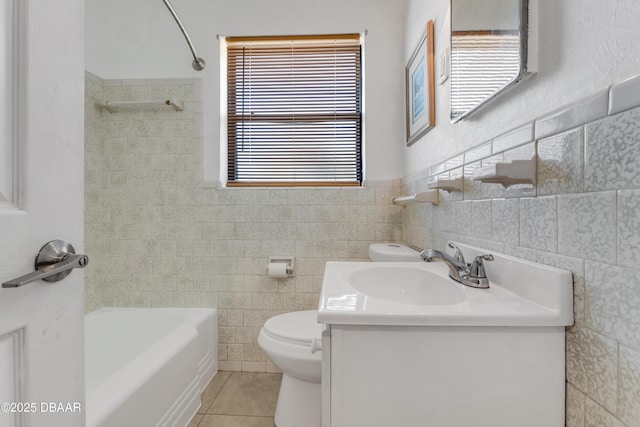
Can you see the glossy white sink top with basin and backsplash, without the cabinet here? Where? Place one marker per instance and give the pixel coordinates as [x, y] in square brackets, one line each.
[521, 293]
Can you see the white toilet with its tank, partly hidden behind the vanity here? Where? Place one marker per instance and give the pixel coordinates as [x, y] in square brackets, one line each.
[293, 342]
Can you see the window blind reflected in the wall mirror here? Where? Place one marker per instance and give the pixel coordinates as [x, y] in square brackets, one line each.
[484, 62]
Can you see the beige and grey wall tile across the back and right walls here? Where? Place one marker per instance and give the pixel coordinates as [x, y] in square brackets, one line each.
[160, 239]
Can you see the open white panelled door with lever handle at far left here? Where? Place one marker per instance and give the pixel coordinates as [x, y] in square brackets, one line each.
[41, 199]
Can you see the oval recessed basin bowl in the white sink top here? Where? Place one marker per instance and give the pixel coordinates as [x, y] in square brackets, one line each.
[407, 285]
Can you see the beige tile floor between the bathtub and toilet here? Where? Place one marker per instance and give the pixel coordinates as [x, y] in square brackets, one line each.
[239, 399]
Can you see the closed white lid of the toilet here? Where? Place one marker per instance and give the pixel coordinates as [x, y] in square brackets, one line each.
[298, 327]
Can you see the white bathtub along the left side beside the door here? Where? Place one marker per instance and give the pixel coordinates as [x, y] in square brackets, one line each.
[147, 366]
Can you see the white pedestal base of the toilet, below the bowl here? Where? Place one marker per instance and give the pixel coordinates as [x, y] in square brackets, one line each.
[298, 403]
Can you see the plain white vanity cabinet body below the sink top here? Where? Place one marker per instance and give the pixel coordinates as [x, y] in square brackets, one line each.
[439, 376]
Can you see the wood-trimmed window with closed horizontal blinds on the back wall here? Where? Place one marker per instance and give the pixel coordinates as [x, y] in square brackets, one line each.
[294, 113]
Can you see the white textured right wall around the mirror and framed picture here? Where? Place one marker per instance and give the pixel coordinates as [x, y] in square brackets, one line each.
[584, 46]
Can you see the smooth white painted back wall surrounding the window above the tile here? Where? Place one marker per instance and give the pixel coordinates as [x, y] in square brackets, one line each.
[139, 40]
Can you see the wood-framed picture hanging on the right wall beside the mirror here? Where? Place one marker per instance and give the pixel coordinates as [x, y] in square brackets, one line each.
[420, 88]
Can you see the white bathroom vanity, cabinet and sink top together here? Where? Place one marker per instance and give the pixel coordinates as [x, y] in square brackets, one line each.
[405, 345]
